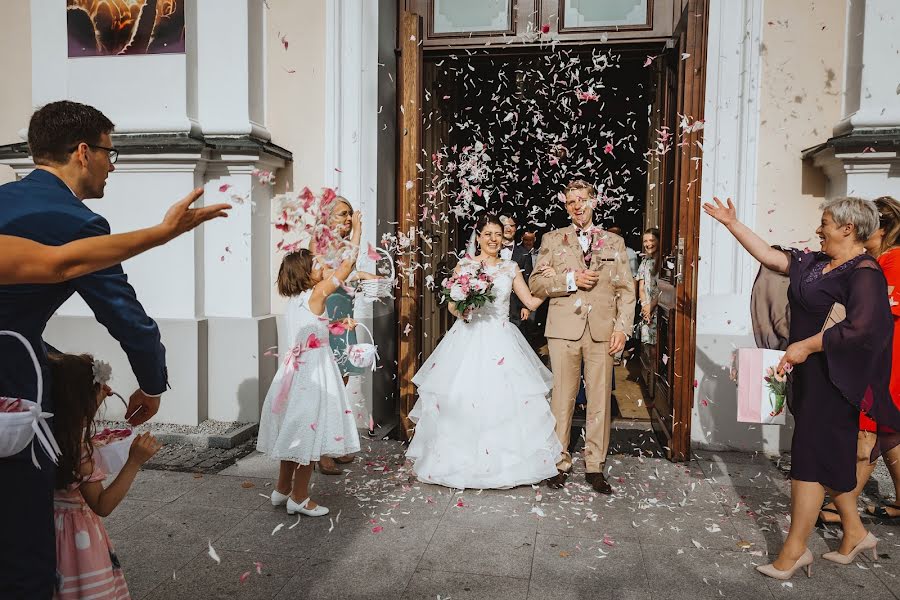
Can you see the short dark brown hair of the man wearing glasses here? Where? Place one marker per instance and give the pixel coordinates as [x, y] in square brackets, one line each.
[58, 127]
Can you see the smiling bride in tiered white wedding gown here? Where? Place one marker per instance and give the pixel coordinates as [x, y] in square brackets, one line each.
[482, 418]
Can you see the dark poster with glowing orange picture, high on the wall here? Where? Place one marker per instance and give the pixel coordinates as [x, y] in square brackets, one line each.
[124, 27]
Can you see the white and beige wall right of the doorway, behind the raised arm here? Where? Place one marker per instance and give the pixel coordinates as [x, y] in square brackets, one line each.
[774, 85]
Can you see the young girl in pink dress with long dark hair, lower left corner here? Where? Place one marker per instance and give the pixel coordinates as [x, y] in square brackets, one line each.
[86, 564]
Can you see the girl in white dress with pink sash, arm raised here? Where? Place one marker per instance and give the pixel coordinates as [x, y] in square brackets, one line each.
[307, 412]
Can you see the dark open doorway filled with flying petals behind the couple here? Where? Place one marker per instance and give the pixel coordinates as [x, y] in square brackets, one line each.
[504, 132]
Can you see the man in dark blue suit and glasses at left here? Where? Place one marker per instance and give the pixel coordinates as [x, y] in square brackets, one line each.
[73, 153]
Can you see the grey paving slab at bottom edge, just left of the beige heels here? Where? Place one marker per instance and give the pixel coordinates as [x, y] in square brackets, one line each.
[693, 573]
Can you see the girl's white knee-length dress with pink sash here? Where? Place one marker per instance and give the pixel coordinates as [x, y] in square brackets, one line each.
[307, 412]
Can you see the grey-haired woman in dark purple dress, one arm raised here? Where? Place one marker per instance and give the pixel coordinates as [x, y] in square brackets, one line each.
[835, 372]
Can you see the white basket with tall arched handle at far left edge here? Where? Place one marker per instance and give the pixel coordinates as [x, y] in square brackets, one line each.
[18, 429]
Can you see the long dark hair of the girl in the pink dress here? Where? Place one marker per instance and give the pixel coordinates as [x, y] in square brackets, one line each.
[75, 403]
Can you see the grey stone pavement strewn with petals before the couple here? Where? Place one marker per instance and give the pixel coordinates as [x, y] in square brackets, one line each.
[692, 530]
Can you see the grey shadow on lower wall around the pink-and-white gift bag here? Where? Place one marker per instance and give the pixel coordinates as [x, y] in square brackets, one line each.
[715, 424]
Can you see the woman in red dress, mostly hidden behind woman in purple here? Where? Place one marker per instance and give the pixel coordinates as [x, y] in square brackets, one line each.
[885, 246]
